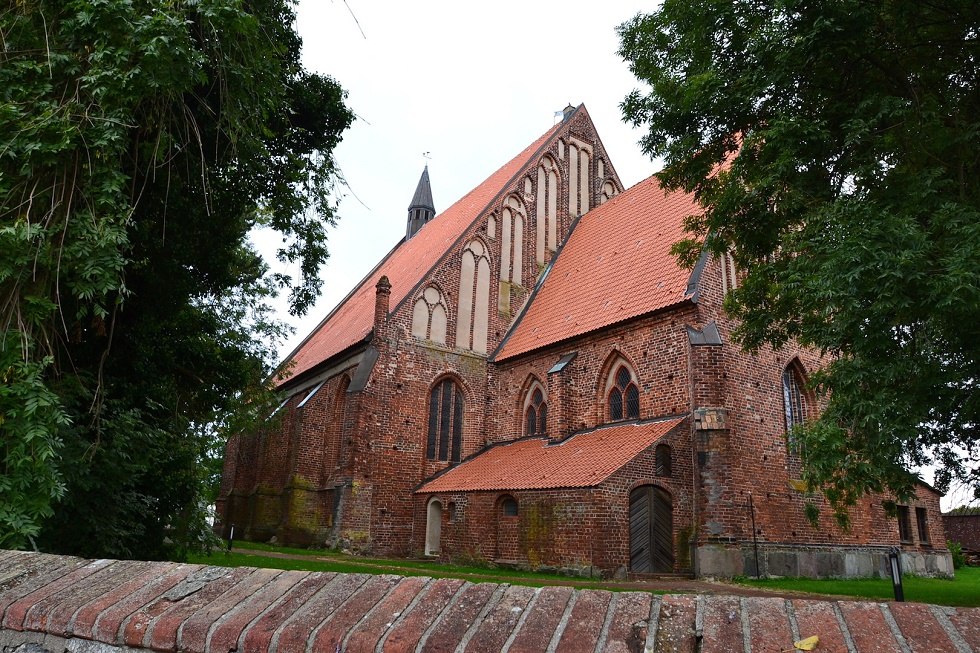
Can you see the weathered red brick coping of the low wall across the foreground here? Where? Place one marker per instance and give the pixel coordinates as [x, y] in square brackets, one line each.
[58, 603]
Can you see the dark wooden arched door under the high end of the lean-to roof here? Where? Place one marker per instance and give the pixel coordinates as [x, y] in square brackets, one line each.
[651, 530]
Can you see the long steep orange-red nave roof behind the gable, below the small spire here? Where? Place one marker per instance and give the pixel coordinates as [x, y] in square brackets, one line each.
[405, 266]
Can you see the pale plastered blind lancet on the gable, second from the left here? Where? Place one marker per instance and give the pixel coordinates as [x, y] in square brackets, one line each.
[472, 318]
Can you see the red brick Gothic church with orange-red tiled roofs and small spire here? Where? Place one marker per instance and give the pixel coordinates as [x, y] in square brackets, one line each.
[529, 378]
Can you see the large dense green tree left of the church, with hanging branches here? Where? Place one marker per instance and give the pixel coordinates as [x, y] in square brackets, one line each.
[141, 143]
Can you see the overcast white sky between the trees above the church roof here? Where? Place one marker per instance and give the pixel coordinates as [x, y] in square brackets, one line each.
[472, 84]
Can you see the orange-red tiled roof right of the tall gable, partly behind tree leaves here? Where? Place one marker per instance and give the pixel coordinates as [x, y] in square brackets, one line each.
[615, 266]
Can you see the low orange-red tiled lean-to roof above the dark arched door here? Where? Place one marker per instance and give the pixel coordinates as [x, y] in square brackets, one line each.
[584, 460]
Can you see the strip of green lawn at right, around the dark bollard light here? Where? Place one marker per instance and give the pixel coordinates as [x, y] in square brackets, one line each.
[962, 591]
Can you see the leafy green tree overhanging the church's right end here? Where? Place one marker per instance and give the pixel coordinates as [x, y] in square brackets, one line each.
[834, 147]
